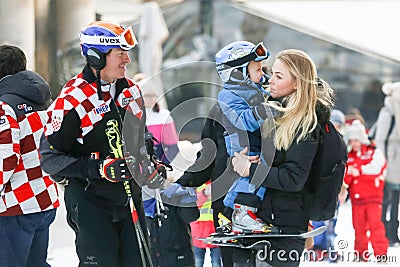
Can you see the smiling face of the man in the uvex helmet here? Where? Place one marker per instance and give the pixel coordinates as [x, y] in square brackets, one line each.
[116, 62]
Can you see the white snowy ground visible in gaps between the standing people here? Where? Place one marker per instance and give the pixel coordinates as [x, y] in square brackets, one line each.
[62, 249]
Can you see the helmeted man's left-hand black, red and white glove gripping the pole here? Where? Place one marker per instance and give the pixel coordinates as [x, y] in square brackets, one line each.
[116, 170]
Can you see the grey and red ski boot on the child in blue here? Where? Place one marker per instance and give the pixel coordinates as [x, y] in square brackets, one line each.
[244, 220]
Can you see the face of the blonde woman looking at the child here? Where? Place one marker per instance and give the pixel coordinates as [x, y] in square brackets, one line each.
[281, 81]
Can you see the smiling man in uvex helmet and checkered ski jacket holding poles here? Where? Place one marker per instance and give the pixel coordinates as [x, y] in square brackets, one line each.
[82, 148]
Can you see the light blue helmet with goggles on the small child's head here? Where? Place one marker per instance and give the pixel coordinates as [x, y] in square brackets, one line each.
[232, 60]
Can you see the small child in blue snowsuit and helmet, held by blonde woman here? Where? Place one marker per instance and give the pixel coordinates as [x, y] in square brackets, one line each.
[239, 65]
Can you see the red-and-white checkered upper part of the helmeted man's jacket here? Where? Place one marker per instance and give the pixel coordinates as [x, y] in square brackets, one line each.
[78, 94]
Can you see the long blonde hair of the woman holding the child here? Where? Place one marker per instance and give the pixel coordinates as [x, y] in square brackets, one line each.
[298, 109]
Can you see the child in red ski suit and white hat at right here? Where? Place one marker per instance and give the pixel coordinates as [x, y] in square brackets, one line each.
[364, 179]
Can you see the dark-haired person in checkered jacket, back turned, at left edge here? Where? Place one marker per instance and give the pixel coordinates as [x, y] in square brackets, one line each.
[28, 196]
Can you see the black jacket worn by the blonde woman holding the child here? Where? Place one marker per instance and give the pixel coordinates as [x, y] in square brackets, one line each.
[287, 181]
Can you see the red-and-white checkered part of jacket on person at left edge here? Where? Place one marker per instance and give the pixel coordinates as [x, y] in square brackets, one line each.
[25, 187]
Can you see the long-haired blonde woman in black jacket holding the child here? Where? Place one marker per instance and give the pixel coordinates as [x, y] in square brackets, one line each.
[304, 100]
